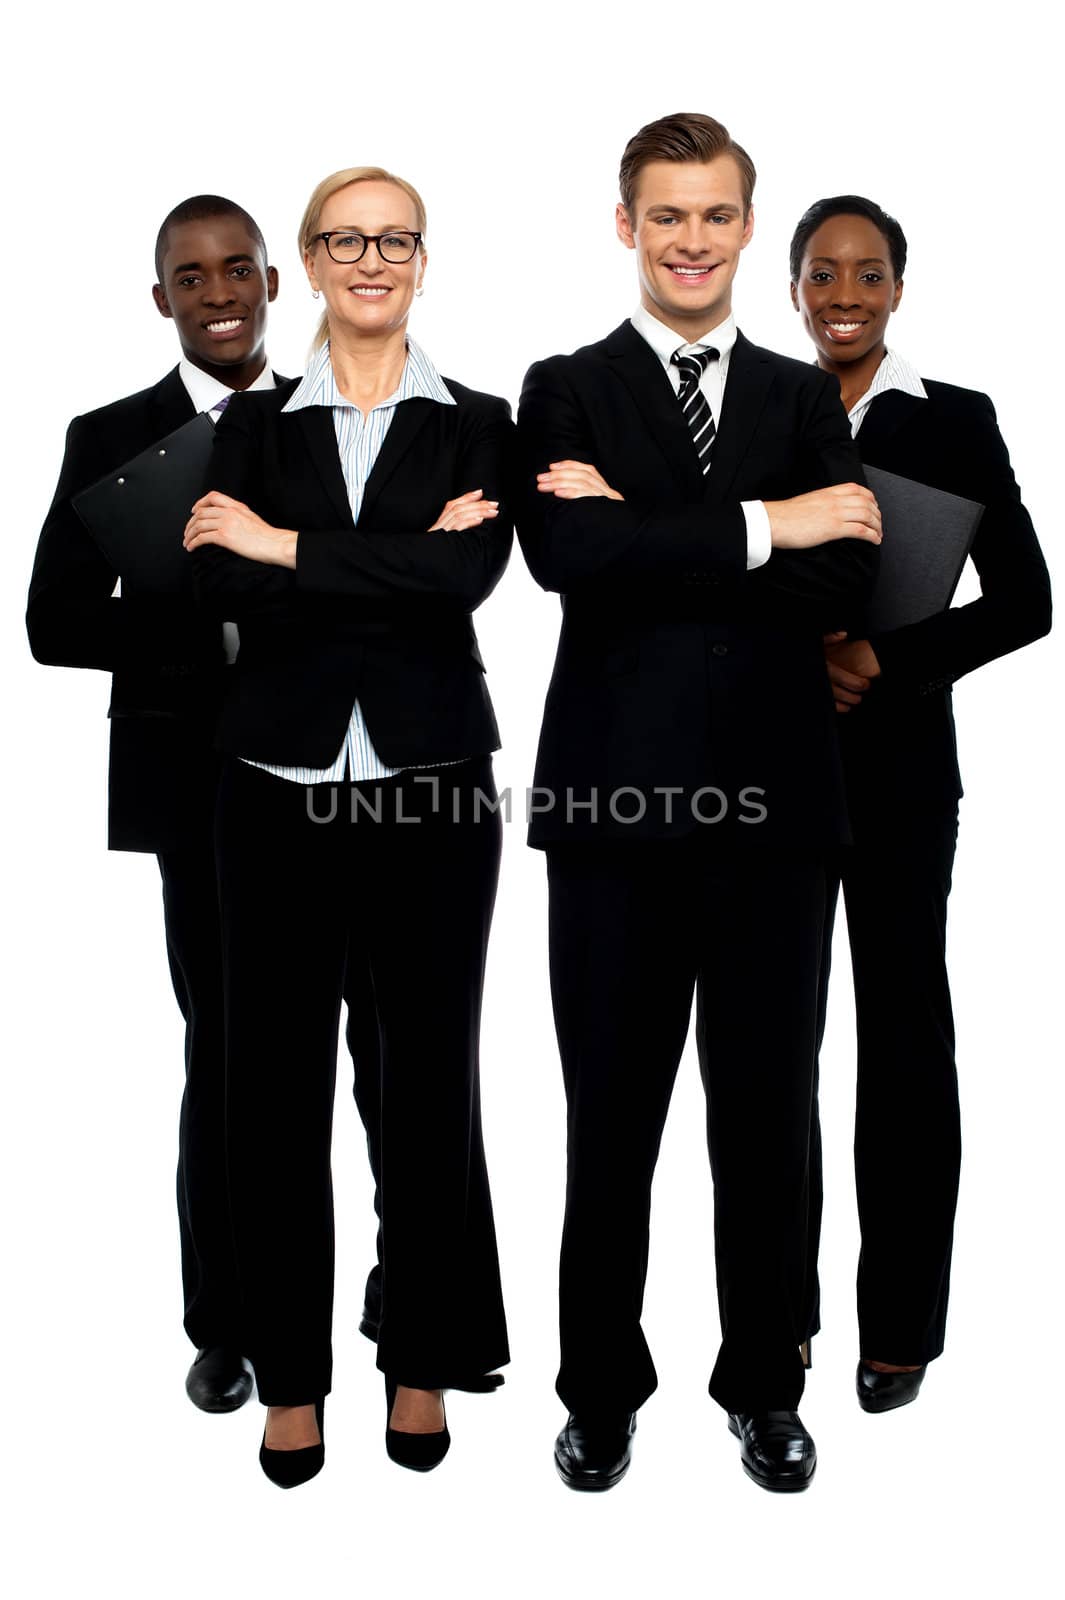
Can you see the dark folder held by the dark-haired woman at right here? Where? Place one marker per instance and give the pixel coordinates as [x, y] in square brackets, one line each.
[928, 537]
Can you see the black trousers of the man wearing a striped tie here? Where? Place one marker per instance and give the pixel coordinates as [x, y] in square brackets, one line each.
[634, 930]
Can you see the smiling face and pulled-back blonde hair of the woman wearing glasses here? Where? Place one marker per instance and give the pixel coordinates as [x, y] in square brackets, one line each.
[369, 297]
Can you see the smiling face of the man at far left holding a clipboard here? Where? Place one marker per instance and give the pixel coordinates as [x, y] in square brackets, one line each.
[217, 287]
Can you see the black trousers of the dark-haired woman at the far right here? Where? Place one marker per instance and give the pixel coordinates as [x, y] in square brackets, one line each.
[907, 1132]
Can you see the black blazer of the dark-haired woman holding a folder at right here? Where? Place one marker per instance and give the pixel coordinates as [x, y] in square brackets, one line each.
[899, 745]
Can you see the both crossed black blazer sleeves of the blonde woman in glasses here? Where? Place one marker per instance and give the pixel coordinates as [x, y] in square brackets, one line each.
[367, 562]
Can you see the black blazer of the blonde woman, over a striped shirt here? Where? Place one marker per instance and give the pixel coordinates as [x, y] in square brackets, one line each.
[380, 612]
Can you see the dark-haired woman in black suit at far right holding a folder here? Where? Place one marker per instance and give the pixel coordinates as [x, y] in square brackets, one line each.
[893, 692]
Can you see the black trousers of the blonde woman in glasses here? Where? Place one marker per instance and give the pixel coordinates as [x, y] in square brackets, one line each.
[413, 879]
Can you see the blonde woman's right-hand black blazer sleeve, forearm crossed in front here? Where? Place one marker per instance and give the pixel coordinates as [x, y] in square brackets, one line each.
[380, 561]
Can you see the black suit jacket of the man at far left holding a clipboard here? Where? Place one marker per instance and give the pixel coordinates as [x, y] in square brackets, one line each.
[167, 665]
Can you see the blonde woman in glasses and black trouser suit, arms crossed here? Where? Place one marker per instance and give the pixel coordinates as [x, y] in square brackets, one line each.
[354, 526]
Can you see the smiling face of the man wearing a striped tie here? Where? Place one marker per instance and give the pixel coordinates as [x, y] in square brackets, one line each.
[688, 228]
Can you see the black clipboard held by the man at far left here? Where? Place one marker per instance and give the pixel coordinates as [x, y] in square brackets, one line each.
[140, 511]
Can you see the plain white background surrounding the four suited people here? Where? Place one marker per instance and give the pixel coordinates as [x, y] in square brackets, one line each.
[513, 129]
